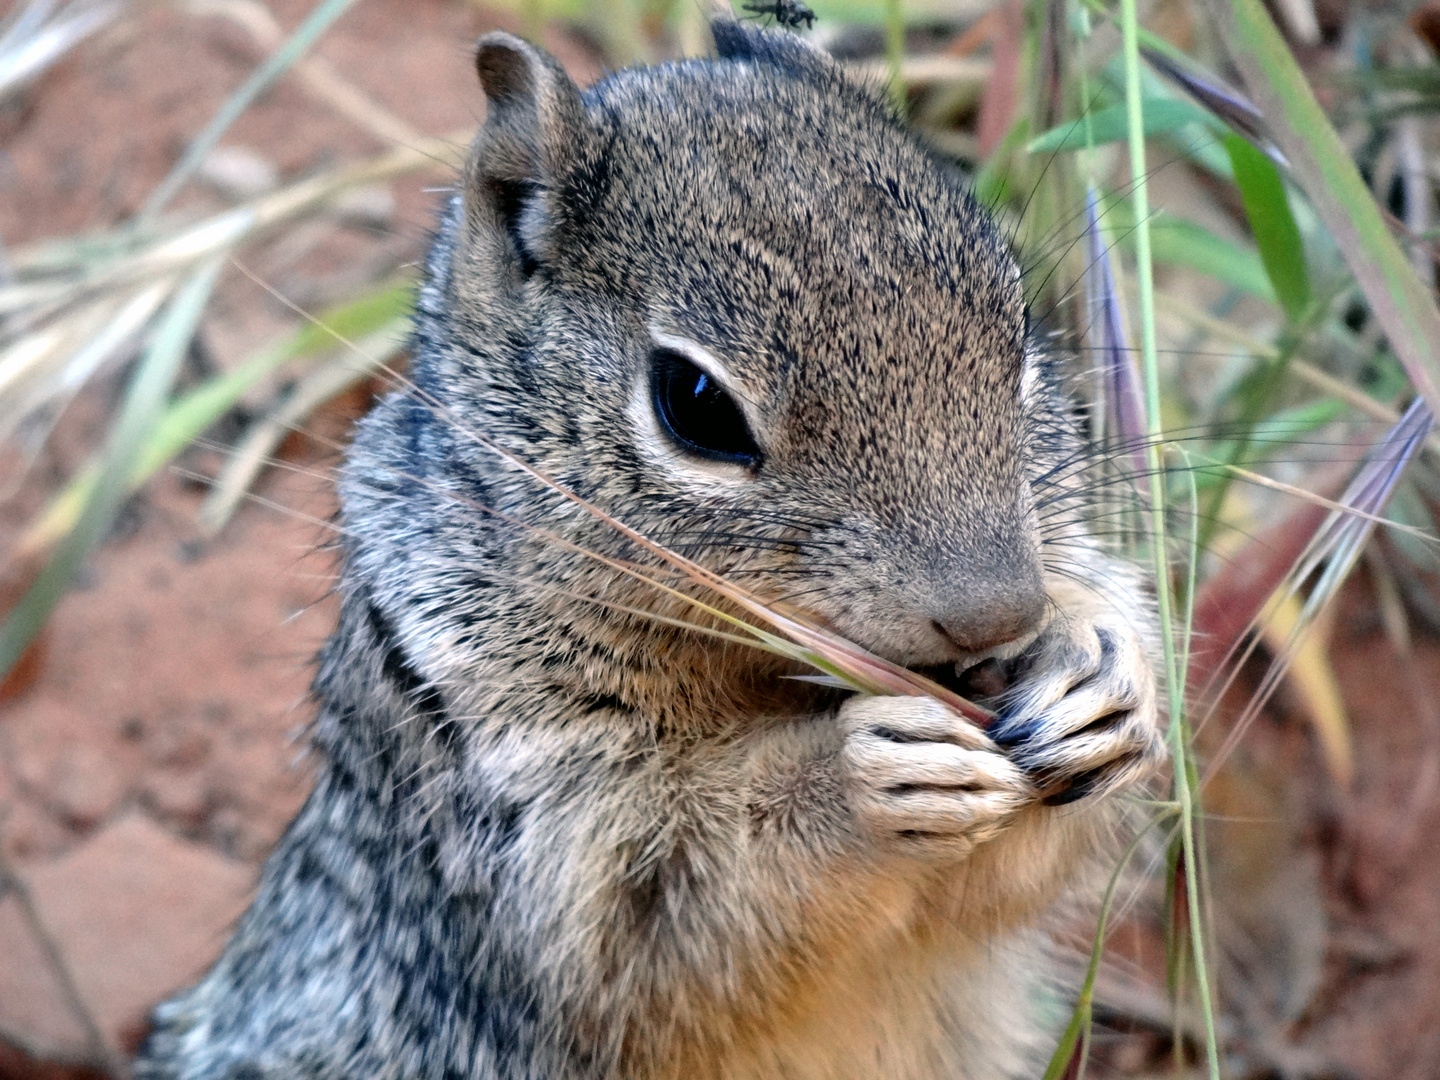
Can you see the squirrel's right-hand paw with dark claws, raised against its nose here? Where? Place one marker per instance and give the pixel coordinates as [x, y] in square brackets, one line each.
[1082, 719]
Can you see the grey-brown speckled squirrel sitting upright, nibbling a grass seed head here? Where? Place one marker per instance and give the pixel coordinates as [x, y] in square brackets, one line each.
[557, 833]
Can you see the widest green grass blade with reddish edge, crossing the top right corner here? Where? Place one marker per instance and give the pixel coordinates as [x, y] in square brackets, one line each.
[1324, 169]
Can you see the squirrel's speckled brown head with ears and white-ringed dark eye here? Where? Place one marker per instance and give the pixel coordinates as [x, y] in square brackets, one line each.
[739, 307]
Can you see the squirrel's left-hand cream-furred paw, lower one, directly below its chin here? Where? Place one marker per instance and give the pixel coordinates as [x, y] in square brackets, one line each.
[925, 781]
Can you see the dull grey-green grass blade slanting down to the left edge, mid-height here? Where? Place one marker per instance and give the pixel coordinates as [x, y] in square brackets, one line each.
[145, 402]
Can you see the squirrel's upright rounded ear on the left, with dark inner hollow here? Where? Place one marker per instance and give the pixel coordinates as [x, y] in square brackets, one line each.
[534, 130]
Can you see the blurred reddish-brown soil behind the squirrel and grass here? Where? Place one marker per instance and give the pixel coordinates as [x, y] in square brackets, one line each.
[152, 744]
